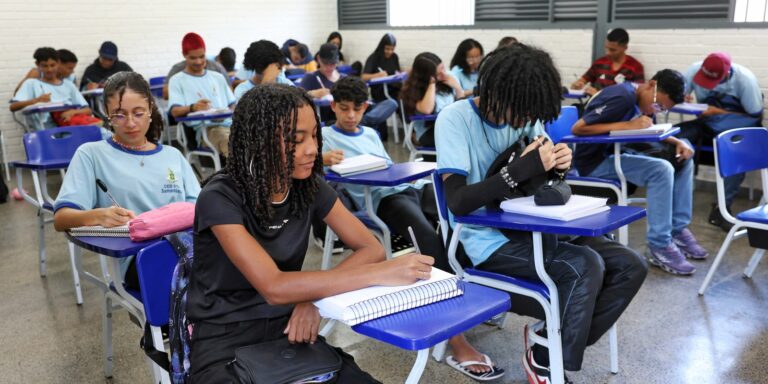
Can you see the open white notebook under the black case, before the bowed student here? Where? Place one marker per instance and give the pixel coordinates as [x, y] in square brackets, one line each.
[577, 207]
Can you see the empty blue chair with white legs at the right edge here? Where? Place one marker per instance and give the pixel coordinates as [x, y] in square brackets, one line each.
[738, 151]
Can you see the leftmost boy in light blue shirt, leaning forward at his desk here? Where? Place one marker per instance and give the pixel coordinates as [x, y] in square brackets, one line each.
[49, 88]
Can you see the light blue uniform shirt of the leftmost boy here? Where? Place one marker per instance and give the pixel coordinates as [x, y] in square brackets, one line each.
[65, 92]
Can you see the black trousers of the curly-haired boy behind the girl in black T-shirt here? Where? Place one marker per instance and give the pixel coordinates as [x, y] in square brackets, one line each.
[417, 209]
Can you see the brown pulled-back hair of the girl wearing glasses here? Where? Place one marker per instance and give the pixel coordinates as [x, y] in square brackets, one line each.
[117, 84]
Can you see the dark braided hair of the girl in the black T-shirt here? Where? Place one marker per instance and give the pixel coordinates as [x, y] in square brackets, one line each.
[261, 147]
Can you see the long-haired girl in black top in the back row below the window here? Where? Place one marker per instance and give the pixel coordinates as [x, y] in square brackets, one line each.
[383, 62]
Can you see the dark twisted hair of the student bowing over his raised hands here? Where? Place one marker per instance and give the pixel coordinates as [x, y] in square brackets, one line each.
[519, 84]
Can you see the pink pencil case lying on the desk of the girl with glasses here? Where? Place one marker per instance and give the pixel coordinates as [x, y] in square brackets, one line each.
[159, 222]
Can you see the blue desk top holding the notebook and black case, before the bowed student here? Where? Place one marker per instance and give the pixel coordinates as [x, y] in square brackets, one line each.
[594, 225]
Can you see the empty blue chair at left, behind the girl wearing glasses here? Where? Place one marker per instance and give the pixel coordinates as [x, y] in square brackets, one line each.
[51, 149]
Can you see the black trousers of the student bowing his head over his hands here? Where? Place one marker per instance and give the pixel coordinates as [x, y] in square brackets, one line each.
[596, 280]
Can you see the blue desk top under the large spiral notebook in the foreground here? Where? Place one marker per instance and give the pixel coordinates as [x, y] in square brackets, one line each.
[423, 327]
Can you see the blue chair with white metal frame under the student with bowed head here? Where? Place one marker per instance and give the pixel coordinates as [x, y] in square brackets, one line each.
[543, 291]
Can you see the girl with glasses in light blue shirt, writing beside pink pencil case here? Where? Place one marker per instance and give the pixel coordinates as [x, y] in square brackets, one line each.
[140, 172]
